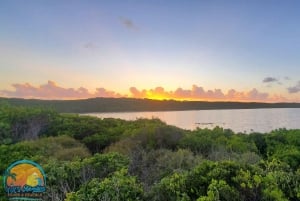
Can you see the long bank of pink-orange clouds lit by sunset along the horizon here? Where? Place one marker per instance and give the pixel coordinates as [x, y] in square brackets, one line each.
[51, 90]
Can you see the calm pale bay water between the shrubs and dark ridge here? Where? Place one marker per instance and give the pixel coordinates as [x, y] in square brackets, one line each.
[246, 120]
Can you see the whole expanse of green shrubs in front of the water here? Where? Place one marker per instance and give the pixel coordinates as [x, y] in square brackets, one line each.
[91, 159]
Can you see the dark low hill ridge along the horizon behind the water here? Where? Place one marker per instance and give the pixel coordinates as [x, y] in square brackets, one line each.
[135, 105]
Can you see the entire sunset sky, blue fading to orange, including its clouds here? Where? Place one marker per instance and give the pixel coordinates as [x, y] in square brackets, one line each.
[233, 50]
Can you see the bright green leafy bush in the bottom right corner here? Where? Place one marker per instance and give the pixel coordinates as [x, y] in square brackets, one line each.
[228, 180]
